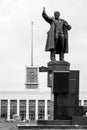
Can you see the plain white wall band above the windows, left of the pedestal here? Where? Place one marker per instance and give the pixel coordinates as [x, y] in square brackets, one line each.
[25, 95]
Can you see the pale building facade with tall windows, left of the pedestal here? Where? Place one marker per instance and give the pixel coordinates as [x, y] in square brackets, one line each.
[27, 105]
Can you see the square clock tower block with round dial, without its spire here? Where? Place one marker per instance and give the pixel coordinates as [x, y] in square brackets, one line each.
[32, 77]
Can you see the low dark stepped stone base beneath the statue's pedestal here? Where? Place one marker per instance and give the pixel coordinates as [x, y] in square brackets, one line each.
[77, 122]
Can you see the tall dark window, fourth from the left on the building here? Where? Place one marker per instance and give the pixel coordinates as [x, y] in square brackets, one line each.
[32, 107]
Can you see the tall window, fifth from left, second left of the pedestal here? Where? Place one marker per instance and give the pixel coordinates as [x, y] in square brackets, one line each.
[41, 109]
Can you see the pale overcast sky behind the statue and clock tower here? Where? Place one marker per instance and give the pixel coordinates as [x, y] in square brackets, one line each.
[15, 38]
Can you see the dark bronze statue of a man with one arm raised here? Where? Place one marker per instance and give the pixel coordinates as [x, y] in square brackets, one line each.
[57, 40]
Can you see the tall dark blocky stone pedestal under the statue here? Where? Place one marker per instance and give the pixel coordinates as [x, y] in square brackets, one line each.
[64, 85]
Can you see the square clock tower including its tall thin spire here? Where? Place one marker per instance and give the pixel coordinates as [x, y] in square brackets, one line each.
[31, 71]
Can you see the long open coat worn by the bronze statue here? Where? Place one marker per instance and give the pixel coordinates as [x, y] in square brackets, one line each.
[50, 43]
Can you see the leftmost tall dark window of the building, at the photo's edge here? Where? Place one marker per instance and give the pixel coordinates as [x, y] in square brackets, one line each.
[4, 104]
